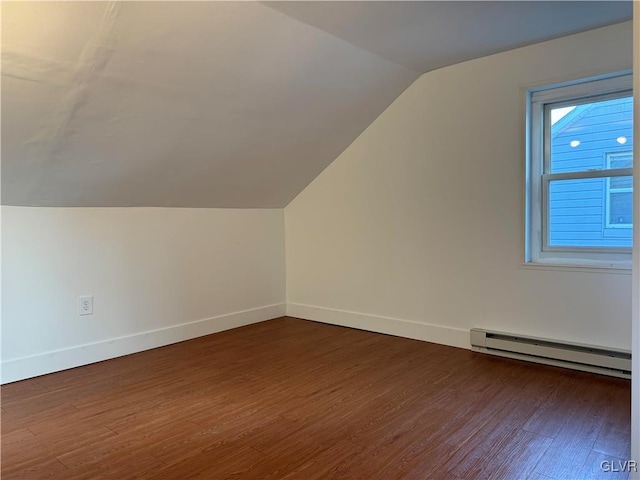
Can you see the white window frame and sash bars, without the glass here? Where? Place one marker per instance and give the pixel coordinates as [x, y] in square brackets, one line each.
[538, 176]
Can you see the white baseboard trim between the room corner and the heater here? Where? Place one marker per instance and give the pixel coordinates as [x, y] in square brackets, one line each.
[454, 337]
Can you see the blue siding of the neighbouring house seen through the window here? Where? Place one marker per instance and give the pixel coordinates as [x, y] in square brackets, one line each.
[577, 208]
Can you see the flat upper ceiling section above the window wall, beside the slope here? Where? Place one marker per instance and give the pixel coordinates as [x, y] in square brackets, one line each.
[425, 35]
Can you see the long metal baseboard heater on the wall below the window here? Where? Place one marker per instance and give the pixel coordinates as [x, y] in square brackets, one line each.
[588, 358]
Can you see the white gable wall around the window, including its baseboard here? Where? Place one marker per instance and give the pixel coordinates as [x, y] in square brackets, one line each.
[417, 228]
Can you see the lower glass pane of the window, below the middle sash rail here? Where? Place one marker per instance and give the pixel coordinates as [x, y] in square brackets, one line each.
[580, 214]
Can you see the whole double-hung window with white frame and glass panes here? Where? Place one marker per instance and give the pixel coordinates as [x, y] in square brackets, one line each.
[580, 173]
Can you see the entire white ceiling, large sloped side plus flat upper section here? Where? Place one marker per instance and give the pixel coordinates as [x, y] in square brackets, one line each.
[224, 104]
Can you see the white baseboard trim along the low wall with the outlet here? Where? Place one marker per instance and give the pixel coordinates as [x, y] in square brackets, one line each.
[54, 361]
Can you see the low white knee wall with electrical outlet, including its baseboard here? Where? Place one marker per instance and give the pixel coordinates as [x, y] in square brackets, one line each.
[157, 276]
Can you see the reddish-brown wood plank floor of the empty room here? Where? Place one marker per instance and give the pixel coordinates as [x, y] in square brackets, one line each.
[301, 400]
